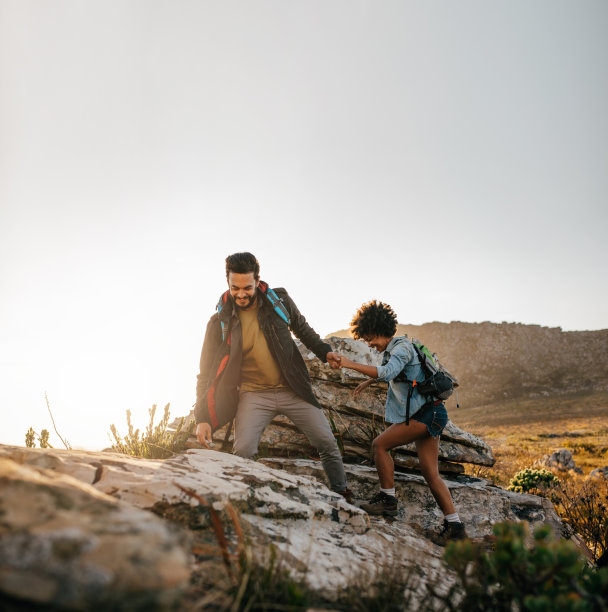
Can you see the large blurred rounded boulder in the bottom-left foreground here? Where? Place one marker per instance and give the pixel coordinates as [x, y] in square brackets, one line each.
[67, 545]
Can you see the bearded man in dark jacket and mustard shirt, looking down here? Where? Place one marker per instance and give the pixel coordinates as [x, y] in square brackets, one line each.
[252, 370]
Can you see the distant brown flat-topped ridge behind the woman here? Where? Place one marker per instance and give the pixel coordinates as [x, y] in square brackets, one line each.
[498, 362]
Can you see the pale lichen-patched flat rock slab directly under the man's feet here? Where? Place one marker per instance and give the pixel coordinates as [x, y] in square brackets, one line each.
[247, 485]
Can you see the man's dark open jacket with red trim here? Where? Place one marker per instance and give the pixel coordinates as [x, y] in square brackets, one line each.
[217, 388]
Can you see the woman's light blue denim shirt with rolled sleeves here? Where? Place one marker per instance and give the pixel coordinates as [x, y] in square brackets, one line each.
[400, 354]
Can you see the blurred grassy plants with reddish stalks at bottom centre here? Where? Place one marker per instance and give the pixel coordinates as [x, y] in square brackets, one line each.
[257, 578]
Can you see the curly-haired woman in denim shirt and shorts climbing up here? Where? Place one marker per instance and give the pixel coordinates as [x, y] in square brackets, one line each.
[376, 324]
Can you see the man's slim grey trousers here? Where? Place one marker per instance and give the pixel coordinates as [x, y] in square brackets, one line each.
[257, 408]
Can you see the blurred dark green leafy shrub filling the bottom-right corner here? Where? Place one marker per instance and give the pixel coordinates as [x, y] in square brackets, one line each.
[546, 576]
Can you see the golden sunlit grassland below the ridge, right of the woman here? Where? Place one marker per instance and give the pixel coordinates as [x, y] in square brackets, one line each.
[521, 433]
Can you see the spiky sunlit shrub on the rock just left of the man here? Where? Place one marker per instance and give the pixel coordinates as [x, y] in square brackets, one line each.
[157, 442]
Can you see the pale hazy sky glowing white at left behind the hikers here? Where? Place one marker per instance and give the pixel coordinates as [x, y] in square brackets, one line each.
[450, 159]
